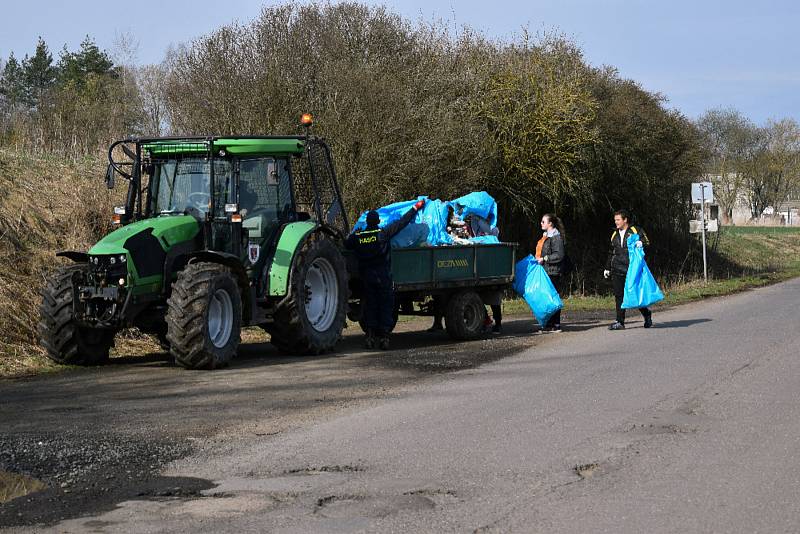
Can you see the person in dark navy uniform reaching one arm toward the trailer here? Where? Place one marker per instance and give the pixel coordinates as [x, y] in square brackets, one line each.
[372, 247]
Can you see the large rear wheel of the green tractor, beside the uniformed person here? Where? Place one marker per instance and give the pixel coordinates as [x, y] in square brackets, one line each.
[298, 328]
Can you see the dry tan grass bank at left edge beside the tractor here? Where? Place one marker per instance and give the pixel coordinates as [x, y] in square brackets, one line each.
[46, 205]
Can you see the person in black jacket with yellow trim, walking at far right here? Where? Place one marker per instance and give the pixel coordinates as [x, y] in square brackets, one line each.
[618, 262]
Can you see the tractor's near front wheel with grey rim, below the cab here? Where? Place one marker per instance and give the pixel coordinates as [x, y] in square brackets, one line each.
[204, 316]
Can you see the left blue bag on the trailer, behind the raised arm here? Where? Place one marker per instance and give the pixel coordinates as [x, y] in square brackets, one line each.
[429, 227]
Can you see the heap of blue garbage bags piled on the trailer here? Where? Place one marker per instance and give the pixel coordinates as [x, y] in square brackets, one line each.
[429, 227]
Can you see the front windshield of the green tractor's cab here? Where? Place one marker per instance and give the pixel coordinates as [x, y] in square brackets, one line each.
[180, 185]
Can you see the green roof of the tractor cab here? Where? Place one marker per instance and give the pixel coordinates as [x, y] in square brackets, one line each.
[239, 146]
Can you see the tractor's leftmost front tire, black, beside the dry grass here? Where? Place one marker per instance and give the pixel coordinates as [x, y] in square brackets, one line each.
[66, 342]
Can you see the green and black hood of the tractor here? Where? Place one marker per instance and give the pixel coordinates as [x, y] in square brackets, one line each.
[166, 231]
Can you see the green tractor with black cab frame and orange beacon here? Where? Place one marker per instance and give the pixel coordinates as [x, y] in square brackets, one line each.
[216, 233]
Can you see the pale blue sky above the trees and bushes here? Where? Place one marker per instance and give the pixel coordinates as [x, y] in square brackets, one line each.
[700, 54]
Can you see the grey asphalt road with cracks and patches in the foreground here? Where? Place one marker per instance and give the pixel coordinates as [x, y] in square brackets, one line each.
[691, 426]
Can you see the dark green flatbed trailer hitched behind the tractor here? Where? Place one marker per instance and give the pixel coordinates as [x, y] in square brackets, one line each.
[456, 282]
